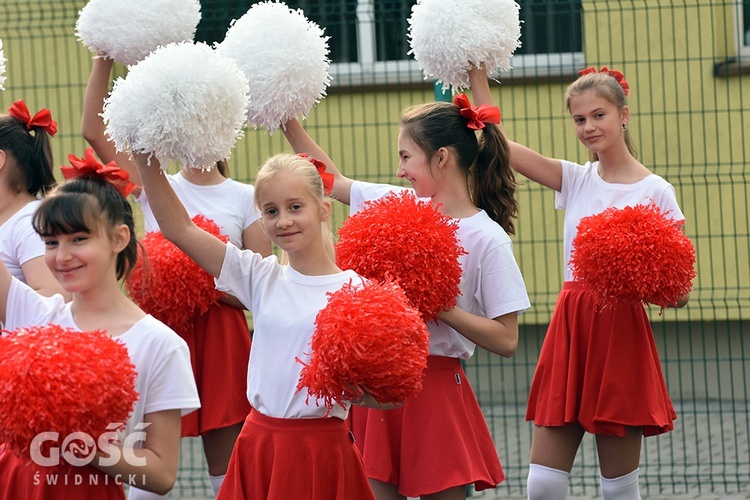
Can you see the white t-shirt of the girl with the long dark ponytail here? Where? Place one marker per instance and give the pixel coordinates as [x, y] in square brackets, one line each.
[491, 282]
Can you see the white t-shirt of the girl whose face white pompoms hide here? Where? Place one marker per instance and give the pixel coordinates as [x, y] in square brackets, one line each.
[230, 205]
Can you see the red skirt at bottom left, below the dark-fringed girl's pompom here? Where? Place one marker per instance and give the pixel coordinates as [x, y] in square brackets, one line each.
[22, 479]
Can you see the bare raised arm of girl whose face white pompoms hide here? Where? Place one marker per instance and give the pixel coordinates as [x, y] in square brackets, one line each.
[92, 124]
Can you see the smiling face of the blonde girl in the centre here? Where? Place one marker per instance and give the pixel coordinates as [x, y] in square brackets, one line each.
[291, 214]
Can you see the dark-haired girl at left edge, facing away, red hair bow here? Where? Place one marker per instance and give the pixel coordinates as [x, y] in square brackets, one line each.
[26, 173]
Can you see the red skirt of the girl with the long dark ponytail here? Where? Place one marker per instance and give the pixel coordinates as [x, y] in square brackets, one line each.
[437, 440]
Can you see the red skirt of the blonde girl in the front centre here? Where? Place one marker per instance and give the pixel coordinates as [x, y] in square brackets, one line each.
[281, 459]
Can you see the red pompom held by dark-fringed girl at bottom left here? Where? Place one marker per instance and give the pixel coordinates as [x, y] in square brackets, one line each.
[55, 379]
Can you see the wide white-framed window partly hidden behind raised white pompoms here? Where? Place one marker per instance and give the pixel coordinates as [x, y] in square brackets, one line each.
[369, 43]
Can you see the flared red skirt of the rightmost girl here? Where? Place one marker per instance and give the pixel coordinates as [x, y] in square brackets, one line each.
[599, 369]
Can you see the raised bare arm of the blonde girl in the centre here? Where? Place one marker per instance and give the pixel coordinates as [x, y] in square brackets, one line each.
[174, 221]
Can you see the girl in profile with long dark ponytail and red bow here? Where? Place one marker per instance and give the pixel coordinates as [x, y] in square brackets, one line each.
[438, 443]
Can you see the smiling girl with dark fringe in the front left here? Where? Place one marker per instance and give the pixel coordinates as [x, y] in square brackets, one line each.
[87, 226]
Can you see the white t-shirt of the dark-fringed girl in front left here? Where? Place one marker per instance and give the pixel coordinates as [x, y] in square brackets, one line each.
[162, 361]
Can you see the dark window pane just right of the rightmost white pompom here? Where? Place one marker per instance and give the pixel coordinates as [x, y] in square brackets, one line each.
[550, 26]
